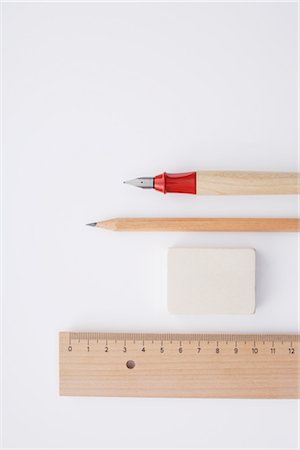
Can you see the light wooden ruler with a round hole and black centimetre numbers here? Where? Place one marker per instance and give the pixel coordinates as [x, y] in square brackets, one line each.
[180, 365]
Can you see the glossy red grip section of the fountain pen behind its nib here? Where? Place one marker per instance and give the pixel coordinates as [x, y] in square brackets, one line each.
[184, 183]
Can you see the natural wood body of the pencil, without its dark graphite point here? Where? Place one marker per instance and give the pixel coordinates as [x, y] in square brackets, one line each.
[202, 224]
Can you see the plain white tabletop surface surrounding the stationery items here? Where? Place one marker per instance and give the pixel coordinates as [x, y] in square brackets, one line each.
[99, 93]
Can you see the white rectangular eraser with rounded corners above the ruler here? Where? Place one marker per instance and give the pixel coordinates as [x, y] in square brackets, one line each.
[211, 281]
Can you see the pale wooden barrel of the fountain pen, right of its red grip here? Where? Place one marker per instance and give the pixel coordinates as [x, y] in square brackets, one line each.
[247, 183]
